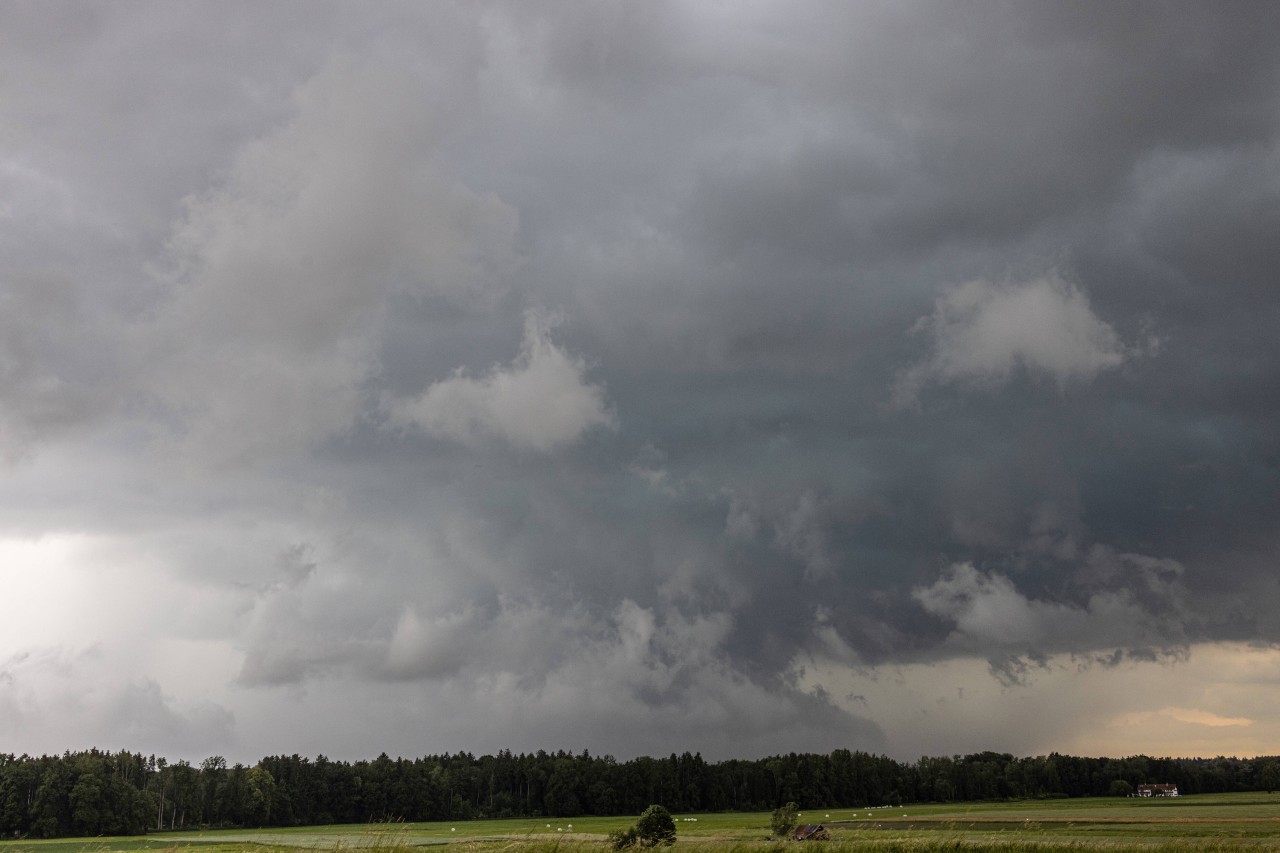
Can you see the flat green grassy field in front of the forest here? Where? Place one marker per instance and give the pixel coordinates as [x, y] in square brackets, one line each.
[1206, 823]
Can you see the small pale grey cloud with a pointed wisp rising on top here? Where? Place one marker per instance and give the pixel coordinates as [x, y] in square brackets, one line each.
[541, 402]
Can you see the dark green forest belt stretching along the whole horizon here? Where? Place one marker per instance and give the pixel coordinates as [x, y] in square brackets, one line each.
[104, 793]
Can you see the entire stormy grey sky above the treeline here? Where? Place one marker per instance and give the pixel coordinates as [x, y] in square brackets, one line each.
[737, 378]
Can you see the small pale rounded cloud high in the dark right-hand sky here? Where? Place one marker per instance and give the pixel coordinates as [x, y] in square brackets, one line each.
[982, 332]
